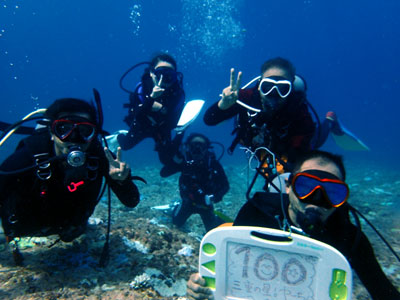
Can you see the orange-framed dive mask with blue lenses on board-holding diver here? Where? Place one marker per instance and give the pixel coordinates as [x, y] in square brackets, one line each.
[319, 188]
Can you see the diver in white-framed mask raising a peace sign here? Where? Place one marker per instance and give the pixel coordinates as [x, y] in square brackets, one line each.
[273, 114]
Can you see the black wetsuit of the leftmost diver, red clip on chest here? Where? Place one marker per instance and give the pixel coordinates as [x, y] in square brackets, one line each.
[33, 205]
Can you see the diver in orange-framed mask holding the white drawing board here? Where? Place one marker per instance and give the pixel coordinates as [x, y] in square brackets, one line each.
[316, 204]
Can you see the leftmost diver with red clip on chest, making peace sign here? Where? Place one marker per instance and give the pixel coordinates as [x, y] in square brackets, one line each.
[53, 181]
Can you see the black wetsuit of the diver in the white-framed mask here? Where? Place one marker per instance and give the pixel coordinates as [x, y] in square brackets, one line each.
[286, 132]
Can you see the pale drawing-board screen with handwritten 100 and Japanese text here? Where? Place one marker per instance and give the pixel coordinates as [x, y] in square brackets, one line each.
[259, 273]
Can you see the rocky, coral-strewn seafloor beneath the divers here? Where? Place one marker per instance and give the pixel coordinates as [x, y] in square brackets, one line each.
[70, 270]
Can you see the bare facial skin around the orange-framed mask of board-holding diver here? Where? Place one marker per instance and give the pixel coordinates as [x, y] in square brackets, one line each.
[298, 208]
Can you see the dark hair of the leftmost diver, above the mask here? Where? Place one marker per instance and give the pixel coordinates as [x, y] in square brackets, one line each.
[71, 105]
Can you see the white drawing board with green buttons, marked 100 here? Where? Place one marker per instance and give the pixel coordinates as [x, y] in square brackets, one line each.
[267, 264]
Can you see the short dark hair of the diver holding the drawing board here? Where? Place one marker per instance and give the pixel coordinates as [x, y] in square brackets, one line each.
[324, 157]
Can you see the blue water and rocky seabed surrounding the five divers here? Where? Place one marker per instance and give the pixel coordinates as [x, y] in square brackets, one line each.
[345, 51]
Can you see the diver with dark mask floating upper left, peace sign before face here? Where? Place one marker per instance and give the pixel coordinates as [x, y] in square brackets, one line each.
[155, 107]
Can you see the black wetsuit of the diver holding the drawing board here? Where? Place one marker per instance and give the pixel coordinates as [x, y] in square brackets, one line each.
[264, 210]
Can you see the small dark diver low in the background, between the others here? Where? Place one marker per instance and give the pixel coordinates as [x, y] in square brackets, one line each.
[202, 182]
